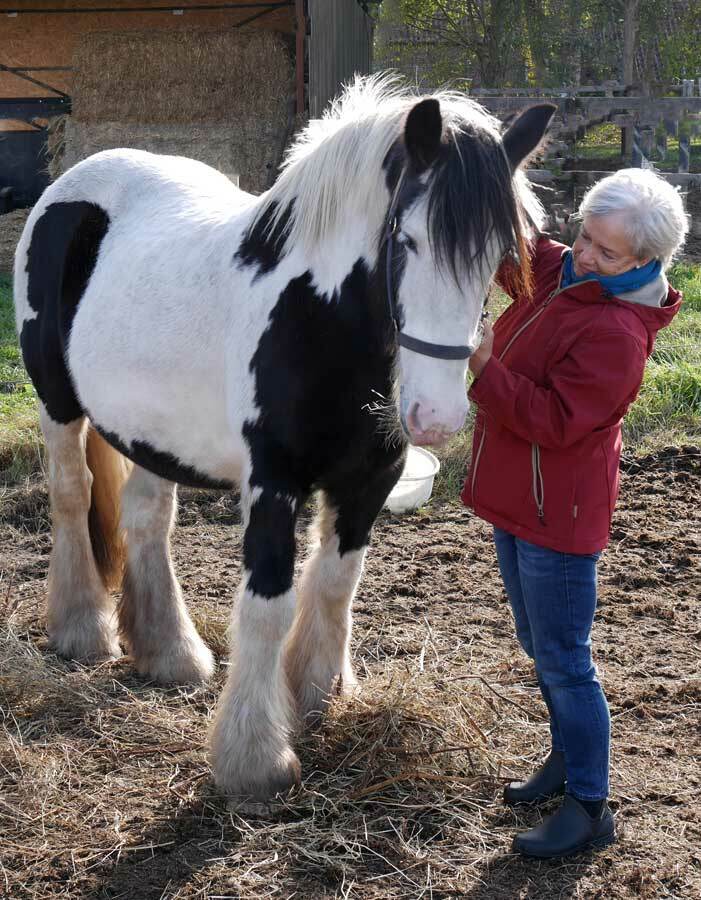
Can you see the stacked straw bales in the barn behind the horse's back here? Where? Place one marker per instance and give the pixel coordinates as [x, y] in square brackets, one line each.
[223, 97]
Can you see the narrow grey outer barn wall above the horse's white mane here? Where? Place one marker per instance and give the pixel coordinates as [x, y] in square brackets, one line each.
[339, 46]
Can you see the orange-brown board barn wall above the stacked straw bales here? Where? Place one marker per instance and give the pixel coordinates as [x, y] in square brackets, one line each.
[50, 40]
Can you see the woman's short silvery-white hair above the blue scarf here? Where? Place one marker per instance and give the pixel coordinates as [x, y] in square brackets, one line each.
[655, 222]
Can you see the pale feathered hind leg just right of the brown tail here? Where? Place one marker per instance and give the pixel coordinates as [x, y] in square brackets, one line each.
[153, 619]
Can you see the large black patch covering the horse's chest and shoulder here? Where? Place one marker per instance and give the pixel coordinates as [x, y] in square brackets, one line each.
[318, 426]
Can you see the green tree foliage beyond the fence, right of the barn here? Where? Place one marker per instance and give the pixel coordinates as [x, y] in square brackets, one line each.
[501, 43]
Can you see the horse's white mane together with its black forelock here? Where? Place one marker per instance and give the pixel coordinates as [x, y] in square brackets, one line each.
[335, 166]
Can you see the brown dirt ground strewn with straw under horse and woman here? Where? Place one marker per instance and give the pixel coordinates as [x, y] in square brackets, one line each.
[105, 790]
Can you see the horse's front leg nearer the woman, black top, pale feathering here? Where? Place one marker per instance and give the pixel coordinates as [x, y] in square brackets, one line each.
[317, 656]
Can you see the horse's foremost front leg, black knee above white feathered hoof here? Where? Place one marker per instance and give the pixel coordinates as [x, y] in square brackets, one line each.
[250, 747]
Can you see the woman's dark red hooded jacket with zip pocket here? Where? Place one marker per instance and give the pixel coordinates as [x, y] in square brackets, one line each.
[565, 368]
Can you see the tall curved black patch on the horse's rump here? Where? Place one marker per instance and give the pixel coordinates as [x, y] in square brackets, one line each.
[62, 255]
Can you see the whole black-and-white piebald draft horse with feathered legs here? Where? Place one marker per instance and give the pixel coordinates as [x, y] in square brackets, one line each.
[181, 331]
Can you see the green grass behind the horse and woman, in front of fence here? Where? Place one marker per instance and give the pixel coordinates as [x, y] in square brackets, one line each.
[667, 411]
